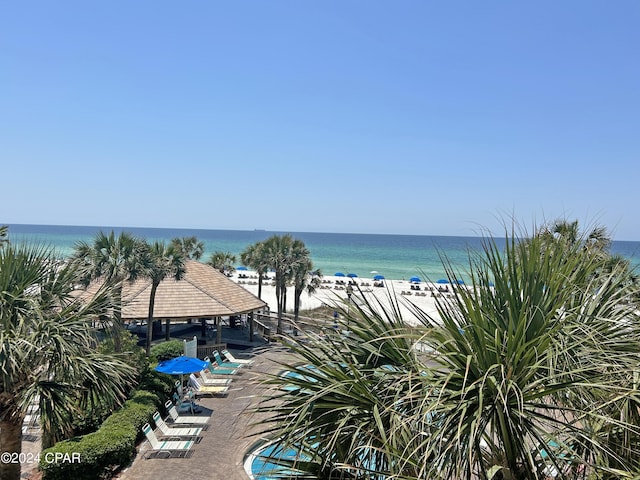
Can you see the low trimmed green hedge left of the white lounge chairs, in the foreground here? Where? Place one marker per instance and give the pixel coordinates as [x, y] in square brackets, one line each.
[112, 446]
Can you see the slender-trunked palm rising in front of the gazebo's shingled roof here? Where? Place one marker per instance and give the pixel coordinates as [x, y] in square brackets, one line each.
[163, 262]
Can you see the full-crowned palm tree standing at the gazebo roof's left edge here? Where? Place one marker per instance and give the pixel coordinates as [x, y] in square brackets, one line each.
[113, 260]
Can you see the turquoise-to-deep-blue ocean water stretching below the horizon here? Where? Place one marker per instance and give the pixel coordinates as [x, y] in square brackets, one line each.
[396, 257]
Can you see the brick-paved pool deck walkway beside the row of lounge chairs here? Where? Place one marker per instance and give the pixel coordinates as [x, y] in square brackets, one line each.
[221, 451]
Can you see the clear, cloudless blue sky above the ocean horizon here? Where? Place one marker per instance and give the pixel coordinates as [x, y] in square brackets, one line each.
[416, 117]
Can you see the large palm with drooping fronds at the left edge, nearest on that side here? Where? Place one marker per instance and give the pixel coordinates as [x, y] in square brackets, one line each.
[48, 348]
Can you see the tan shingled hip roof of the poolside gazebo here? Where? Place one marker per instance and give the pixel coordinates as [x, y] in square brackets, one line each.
[203, 292]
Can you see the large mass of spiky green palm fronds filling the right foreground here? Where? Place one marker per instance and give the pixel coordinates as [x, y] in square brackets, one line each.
[531, 371]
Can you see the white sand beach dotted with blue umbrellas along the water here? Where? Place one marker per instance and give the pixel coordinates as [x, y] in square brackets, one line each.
[333, 290]
